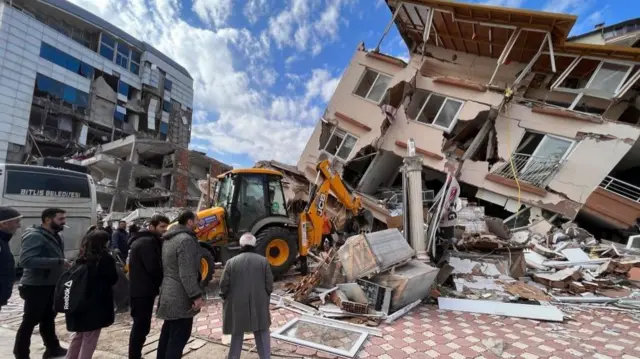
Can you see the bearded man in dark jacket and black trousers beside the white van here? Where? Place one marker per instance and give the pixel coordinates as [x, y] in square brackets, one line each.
[42, 258]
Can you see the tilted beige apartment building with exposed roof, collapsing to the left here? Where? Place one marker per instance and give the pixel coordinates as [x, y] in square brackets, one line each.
[528, 121]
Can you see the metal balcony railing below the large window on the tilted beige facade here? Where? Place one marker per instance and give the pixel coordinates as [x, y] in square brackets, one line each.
[533, 170]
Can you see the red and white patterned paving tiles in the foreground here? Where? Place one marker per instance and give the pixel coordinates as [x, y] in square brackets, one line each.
[427, 332]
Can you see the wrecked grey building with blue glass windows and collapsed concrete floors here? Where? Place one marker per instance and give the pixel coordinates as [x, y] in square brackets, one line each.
[74, 86]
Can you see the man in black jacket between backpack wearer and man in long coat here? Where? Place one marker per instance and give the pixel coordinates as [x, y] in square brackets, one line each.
[145, 278]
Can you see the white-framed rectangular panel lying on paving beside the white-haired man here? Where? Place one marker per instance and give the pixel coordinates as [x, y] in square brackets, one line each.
[326, 337]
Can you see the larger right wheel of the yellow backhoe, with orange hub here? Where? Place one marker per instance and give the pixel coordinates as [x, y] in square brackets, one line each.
[280, 247]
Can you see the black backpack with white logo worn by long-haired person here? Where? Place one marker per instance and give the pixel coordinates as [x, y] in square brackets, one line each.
[71, 290]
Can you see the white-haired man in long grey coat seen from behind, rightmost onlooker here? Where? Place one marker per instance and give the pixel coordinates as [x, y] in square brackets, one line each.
[246, 286]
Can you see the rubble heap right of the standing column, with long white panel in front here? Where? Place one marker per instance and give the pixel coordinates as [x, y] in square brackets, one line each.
[533, 265]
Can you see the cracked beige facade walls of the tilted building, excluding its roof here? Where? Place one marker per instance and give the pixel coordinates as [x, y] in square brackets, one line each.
[444, 102]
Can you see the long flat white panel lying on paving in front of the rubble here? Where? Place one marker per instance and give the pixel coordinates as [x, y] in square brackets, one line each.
[537, 312]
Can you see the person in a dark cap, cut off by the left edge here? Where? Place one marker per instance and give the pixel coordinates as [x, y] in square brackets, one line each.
[9, 224]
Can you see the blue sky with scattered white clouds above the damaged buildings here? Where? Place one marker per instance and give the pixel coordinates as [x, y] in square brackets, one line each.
[264, 69]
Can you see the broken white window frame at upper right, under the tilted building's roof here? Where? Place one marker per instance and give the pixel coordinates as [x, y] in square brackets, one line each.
[581, 92]
